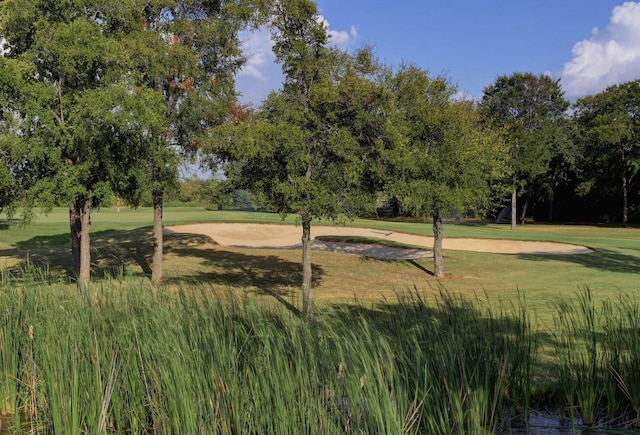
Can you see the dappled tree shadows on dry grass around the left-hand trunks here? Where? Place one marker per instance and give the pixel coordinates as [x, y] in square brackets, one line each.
[115, 252]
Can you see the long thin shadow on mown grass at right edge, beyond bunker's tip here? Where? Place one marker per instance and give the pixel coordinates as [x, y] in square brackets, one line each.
[601, 259]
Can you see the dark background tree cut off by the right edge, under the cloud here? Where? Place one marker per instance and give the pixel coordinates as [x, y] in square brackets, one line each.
[610, 127]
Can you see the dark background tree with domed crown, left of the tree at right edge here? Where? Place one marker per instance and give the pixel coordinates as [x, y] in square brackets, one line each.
[530, 110]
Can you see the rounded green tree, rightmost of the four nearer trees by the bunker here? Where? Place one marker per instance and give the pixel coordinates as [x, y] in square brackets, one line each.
[447, 161]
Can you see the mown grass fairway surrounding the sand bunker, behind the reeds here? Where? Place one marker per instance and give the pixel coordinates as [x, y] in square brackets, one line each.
[122, 241]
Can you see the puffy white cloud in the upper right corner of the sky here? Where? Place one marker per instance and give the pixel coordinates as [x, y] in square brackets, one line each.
[610, 56]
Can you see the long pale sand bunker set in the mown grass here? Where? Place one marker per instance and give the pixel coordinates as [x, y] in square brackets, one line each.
[288, 237]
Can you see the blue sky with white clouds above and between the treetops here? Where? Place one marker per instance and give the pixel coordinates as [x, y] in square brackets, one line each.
[586, 44]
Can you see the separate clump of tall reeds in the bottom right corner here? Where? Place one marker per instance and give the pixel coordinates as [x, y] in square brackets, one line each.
[598, 347]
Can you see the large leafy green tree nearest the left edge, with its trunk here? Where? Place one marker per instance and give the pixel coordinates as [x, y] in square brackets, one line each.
[82, 122]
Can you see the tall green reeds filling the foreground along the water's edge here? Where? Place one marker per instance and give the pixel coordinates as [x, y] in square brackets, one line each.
[123, 357]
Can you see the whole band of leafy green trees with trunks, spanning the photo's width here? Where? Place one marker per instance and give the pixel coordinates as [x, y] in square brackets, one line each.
[105, 99]
